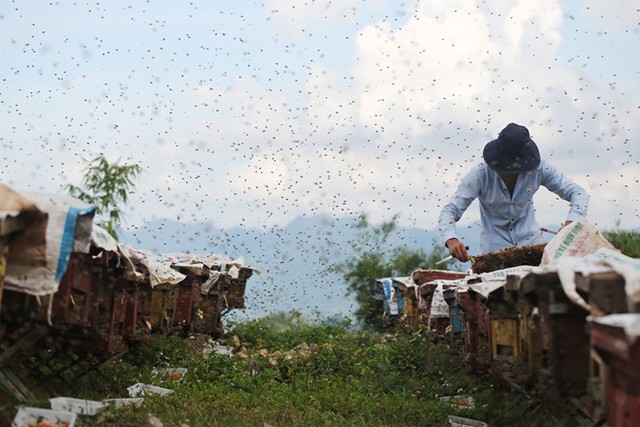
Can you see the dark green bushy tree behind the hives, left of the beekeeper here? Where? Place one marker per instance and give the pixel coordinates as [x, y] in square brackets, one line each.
[372, 260]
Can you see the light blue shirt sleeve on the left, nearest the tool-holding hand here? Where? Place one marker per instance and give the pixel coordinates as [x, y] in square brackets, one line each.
[468, 190]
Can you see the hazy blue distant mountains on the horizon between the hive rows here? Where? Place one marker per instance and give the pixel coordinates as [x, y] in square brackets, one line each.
[295, 261]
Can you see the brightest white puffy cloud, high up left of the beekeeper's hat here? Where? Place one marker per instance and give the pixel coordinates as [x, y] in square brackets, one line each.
[427, 63]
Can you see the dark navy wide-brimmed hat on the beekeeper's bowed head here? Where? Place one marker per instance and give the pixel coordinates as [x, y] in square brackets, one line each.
[513, 151]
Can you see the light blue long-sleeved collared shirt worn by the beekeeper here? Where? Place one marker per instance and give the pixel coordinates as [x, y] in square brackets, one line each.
[509, 220]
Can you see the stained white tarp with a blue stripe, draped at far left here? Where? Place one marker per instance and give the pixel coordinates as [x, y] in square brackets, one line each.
[39, 255]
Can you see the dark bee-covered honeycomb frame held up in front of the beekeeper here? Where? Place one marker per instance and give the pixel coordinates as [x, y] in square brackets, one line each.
[507, 258]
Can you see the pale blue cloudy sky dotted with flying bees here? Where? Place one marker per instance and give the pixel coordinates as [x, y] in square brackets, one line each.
[252, 113]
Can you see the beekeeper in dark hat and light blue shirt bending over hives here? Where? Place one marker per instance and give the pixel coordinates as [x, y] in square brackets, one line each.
[504, 184]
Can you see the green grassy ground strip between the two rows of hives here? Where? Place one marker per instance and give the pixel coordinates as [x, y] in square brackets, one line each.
[289, 372]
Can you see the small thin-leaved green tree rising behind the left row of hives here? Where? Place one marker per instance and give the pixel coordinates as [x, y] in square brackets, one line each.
[106, 186]
